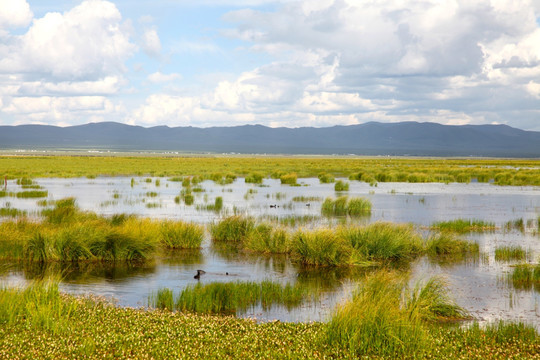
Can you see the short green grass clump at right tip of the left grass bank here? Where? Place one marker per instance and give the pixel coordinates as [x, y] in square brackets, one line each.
[180, 235]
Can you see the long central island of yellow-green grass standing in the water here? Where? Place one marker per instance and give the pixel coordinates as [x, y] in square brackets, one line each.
[368, 245]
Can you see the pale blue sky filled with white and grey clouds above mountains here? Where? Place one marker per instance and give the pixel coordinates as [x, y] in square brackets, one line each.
[290, 63]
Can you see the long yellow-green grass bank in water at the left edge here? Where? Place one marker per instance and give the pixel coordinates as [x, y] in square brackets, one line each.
[67, 234]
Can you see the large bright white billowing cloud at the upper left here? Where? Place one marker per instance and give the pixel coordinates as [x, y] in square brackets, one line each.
[87, 42]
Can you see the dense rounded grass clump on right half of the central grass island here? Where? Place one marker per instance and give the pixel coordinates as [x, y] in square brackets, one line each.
[380, 242]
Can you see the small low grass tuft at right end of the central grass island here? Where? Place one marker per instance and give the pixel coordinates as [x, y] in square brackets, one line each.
[448, 245]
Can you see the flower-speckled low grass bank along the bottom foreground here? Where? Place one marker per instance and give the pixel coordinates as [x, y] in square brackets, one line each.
[49, 325]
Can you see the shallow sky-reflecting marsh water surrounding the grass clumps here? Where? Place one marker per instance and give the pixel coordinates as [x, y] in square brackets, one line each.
[480, 286]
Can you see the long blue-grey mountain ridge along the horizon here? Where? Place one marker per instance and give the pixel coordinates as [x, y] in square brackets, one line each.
[373, 138]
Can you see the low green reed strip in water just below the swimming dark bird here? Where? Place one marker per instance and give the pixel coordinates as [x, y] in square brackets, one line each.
[229, 298]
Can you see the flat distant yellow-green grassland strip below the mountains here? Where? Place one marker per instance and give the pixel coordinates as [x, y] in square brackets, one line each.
[220, 169]
